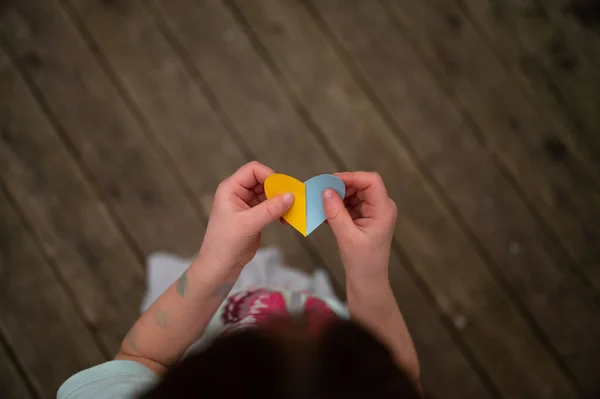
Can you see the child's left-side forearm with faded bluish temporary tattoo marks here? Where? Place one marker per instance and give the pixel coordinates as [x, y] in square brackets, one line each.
[177, 318]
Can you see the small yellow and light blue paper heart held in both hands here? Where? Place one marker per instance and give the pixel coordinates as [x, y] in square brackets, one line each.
[307, 213]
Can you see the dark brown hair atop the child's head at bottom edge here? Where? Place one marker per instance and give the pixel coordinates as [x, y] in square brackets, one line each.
[344, 361]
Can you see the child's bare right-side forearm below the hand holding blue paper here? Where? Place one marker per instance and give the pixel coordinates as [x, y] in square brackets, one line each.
[373, 304]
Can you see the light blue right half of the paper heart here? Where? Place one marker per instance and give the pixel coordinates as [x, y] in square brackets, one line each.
[315, 214]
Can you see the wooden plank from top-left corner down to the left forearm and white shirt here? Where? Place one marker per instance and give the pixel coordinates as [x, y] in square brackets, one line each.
[97, 125]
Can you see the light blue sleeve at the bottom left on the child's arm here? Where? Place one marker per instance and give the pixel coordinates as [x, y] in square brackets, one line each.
[117, 379]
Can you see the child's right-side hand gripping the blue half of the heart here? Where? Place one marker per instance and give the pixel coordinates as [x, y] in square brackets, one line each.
[363, 224]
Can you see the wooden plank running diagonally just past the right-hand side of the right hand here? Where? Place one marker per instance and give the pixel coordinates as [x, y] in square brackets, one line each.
[309, 64]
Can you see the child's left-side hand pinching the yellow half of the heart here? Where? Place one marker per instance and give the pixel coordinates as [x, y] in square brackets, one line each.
[240, 211]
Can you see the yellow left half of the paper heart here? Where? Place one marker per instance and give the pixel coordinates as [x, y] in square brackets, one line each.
[277, 184]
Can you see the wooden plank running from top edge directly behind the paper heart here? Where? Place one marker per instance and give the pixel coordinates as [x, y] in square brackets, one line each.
[249, 94]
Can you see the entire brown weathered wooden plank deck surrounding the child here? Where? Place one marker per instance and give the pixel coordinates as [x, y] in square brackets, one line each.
[118, 118]
